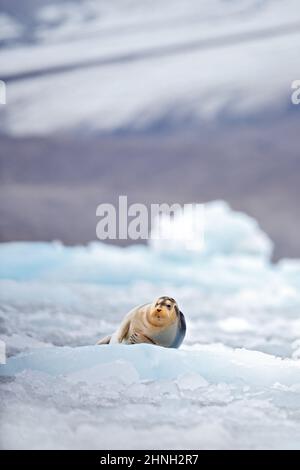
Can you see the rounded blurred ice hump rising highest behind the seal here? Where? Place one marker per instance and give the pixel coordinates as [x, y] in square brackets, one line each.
[224, 231]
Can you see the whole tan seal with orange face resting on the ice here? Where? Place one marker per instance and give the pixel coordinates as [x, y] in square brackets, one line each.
[160, 323]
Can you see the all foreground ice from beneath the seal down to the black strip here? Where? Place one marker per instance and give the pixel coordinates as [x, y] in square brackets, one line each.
[145, 396]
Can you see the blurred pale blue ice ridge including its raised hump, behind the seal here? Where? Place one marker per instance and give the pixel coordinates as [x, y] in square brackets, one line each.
[233, 242]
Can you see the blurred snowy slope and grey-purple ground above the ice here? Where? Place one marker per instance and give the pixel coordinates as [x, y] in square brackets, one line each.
[162, 101]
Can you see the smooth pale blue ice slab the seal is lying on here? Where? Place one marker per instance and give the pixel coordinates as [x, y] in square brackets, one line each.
[213, 363]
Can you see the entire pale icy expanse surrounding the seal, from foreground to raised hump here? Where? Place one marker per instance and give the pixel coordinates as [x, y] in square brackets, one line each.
[234, 383]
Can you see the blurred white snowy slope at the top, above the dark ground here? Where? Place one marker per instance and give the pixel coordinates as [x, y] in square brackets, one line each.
[142, 65]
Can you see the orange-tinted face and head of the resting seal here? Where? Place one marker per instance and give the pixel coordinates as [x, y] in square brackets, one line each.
[163, 311]
